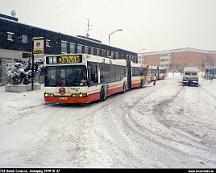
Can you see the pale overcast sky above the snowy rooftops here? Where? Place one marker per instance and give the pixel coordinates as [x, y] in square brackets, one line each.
[152, 25]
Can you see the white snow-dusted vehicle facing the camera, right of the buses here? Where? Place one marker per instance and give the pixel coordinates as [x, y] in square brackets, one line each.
[190, 76]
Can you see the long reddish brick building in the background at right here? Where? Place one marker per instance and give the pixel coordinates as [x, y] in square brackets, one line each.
[177, 59]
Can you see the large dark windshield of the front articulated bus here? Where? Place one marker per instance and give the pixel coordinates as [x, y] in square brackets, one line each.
[60, 76]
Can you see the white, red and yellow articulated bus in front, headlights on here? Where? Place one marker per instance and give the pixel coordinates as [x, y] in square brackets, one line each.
[83, 78]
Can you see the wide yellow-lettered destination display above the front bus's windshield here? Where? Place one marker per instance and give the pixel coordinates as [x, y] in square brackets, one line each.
[69, 59]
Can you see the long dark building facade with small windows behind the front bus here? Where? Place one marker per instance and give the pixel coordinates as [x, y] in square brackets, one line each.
[16, 43]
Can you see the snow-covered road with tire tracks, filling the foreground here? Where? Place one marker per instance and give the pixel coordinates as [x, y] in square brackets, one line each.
[166, 126]
